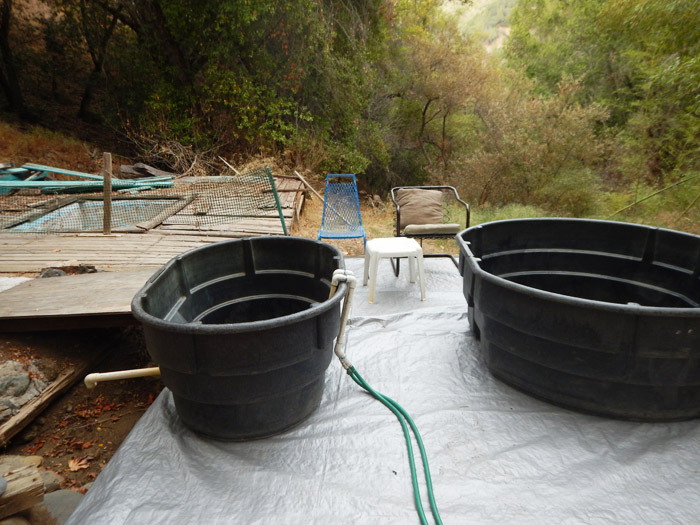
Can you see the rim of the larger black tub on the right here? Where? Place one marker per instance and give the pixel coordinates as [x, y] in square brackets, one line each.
[569, 300]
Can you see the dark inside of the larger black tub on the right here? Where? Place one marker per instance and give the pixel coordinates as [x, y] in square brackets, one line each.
[618, 263]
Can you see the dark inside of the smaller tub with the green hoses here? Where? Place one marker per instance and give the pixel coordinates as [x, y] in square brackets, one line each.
[251, 284]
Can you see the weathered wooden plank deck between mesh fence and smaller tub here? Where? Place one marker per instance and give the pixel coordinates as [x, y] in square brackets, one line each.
[29, 253]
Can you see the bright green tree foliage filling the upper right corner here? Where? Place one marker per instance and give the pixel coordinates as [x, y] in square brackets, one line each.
[638, 58]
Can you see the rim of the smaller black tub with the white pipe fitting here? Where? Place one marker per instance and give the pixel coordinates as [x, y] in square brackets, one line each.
[228, 328]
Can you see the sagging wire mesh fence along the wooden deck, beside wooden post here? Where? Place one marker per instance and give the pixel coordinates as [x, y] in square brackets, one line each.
[197, 204]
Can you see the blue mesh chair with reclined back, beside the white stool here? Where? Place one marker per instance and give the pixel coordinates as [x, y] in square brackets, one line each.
[341, 210]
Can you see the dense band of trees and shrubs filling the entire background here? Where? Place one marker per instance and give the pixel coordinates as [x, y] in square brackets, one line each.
[594, 97]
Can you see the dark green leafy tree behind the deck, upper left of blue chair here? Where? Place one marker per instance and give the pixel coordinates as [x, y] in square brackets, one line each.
[263, 75]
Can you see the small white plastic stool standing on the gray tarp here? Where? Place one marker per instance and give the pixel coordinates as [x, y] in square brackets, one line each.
[393, 247]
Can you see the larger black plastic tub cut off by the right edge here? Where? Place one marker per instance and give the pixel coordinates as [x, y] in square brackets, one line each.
[597, 316]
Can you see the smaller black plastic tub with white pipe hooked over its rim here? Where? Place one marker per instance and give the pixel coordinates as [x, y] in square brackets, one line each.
[243, 332]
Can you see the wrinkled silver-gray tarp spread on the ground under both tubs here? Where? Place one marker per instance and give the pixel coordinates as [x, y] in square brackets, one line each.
[497, 455]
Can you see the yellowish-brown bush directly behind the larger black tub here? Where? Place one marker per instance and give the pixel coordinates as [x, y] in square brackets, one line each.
[534, 150]
